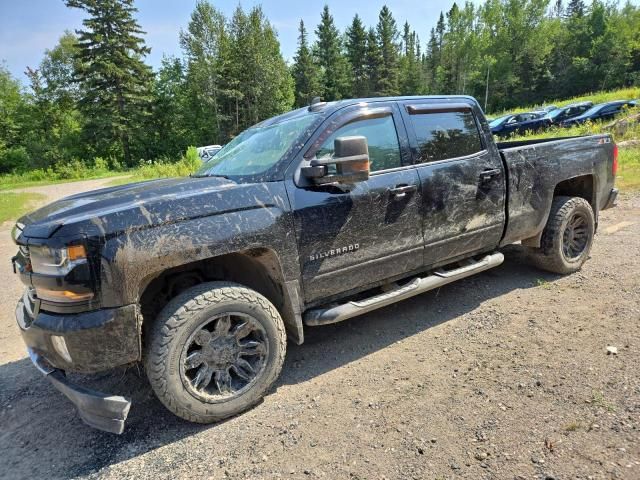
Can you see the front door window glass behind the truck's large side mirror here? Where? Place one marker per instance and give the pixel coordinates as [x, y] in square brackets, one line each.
[382, 138]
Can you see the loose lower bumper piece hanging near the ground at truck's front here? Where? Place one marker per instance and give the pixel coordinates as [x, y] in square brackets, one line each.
[98, 410]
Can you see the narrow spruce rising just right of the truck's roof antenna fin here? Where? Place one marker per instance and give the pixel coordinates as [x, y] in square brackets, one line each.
[328, 52]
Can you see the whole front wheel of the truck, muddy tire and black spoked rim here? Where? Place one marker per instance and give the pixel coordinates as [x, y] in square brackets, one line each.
[214, 351]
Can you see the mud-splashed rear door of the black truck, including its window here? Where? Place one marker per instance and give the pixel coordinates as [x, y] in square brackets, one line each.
[462, 179]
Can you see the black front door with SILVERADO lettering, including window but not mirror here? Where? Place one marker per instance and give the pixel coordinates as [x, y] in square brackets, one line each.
[351, 237]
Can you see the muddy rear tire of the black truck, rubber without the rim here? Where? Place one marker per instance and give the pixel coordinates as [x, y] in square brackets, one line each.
[550, 255]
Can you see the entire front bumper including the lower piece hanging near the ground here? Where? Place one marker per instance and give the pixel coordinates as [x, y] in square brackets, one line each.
[82, 342]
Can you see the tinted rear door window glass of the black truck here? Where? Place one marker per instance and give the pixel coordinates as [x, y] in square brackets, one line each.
[445, 135]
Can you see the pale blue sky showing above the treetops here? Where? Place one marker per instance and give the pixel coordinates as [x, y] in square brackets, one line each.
[29, 27]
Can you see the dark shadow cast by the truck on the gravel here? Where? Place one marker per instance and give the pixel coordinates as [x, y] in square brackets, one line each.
[42, 435]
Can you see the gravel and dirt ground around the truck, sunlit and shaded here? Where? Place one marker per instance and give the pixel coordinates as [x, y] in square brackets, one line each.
[504, 375]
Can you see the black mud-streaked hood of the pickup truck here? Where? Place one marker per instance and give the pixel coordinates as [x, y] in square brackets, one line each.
[140, 205]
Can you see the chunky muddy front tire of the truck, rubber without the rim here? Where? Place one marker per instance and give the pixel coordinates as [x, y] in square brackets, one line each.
[182, 315]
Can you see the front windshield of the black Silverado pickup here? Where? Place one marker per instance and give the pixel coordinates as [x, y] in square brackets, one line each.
[256, 149]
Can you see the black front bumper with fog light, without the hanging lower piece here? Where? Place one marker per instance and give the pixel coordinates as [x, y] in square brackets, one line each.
[94, 341]
